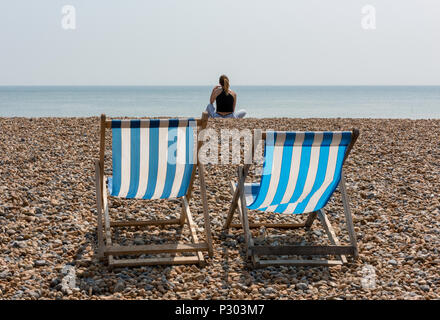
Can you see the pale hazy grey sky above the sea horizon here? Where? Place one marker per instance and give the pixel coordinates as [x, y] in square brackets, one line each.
[192, 42]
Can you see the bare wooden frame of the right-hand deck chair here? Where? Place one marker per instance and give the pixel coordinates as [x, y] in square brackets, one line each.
[256, 252]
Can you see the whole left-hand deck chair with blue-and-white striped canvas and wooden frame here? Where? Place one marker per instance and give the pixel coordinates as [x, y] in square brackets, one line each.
[152, 159]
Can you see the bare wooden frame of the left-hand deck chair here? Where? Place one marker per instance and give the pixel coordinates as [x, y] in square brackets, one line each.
[106, 249]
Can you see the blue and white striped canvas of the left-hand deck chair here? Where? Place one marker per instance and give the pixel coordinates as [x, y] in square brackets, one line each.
[152, 158]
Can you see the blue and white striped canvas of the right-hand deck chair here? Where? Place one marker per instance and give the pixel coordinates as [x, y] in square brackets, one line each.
[300, 173]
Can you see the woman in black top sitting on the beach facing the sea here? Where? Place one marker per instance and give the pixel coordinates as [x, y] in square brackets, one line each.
[225, 99]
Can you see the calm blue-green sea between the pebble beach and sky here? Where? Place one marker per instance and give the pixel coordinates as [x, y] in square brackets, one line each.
[260, 101]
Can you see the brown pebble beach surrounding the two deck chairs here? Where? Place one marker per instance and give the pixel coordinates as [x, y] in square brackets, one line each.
[48, 219]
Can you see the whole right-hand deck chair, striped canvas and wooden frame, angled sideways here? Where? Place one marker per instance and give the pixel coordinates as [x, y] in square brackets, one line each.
[301, 171]
